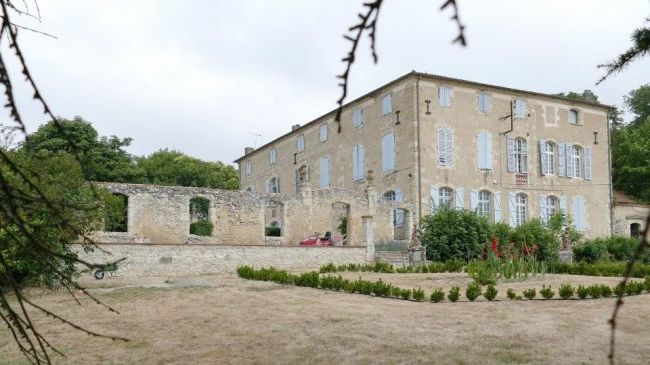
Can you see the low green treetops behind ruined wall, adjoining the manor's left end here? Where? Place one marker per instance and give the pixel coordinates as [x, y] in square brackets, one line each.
[167, 167]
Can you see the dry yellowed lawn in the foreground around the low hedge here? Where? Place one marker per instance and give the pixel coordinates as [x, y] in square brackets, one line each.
[223, 319]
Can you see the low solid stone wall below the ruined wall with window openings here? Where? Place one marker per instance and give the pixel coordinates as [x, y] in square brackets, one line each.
[178, 260]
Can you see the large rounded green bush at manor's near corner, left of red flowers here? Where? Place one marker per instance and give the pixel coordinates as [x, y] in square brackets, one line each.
[452, 234]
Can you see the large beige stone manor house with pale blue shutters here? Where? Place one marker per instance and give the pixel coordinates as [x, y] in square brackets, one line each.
[426, 141]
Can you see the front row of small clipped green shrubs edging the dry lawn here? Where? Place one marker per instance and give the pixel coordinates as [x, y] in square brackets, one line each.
[474, 290]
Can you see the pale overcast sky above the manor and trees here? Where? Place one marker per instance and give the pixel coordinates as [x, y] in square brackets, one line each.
[204, 76]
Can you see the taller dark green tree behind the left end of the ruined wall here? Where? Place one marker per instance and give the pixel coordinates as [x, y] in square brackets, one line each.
[104, 158]
